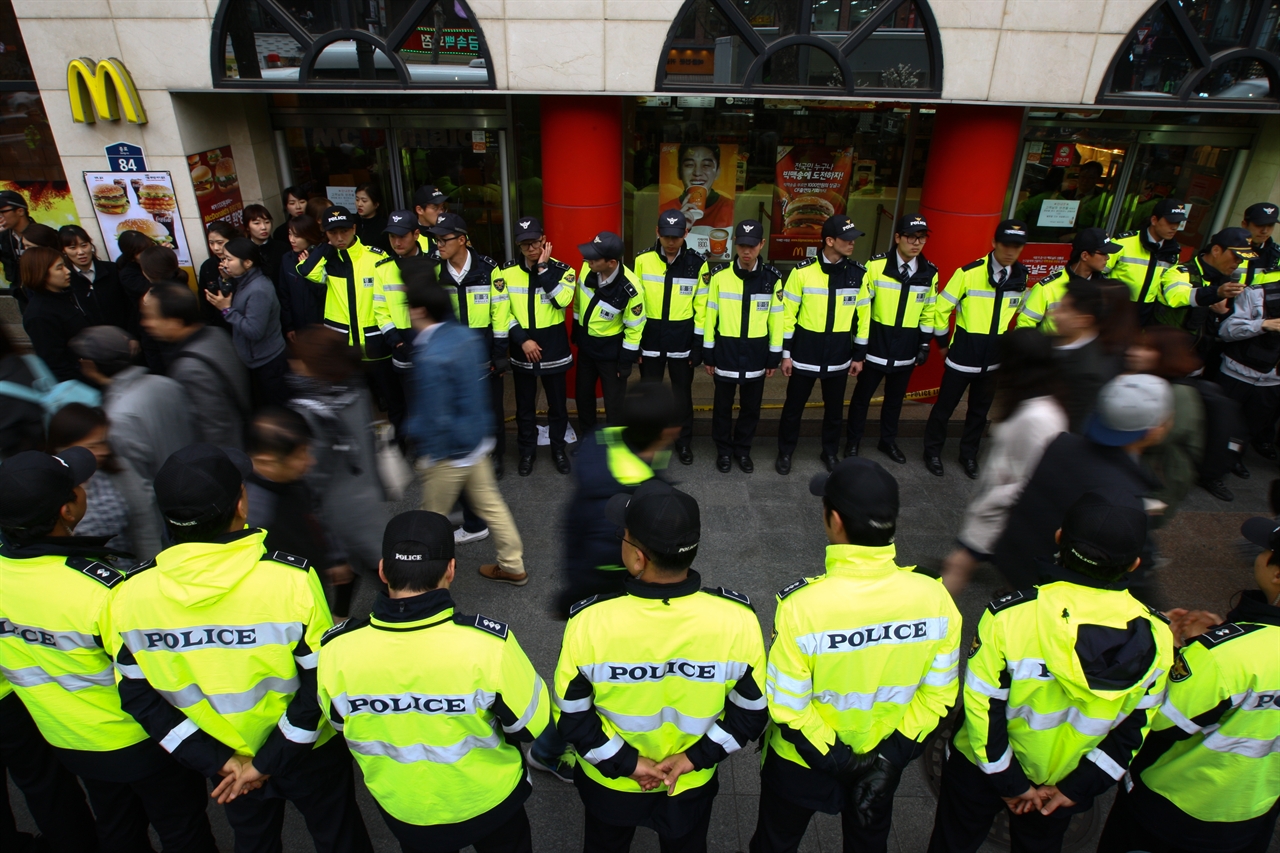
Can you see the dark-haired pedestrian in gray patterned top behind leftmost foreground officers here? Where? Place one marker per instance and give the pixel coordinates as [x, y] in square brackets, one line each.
[120, 508]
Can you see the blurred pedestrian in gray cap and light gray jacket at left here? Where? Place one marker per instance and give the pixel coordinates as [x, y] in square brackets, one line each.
[150, 416]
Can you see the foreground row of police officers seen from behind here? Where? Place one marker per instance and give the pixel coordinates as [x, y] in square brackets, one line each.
[218, 662]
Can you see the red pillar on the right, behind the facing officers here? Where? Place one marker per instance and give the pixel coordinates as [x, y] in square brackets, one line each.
[971, 162]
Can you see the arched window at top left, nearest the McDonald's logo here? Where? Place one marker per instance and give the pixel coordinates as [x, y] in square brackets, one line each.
[356, 44]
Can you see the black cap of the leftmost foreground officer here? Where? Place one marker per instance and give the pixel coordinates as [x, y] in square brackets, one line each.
[35, 486]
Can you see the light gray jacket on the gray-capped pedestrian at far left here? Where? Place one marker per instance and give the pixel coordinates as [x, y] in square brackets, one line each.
[150, 418]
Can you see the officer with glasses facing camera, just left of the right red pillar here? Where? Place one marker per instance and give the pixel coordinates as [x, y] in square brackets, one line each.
[895, 312]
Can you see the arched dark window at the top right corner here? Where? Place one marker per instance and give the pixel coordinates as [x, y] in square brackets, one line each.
[1200, 53]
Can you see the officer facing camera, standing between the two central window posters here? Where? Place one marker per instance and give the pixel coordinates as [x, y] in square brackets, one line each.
[742, 343]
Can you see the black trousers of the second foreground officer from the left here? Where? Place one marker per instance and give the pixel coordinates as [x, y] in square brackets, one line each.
[323, 788]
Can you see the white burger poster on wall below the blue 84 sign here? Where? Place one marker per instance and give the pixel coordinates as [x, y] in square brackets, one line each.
[138, 202]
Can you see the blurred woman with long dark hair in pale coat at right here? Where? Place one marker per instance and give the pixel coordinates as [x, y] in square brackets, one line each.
[1030, 416]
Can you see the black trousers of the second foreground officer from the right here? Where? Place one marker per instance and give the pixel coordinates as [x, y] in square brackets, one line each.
[968, 808]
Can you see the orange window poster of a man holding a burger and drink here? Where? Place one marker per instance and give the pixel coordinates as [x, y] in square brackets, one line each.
[701, 180]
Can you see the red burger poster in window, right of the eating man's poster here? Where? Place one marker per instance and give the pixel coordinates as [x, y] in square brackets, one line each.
[811, 185]
